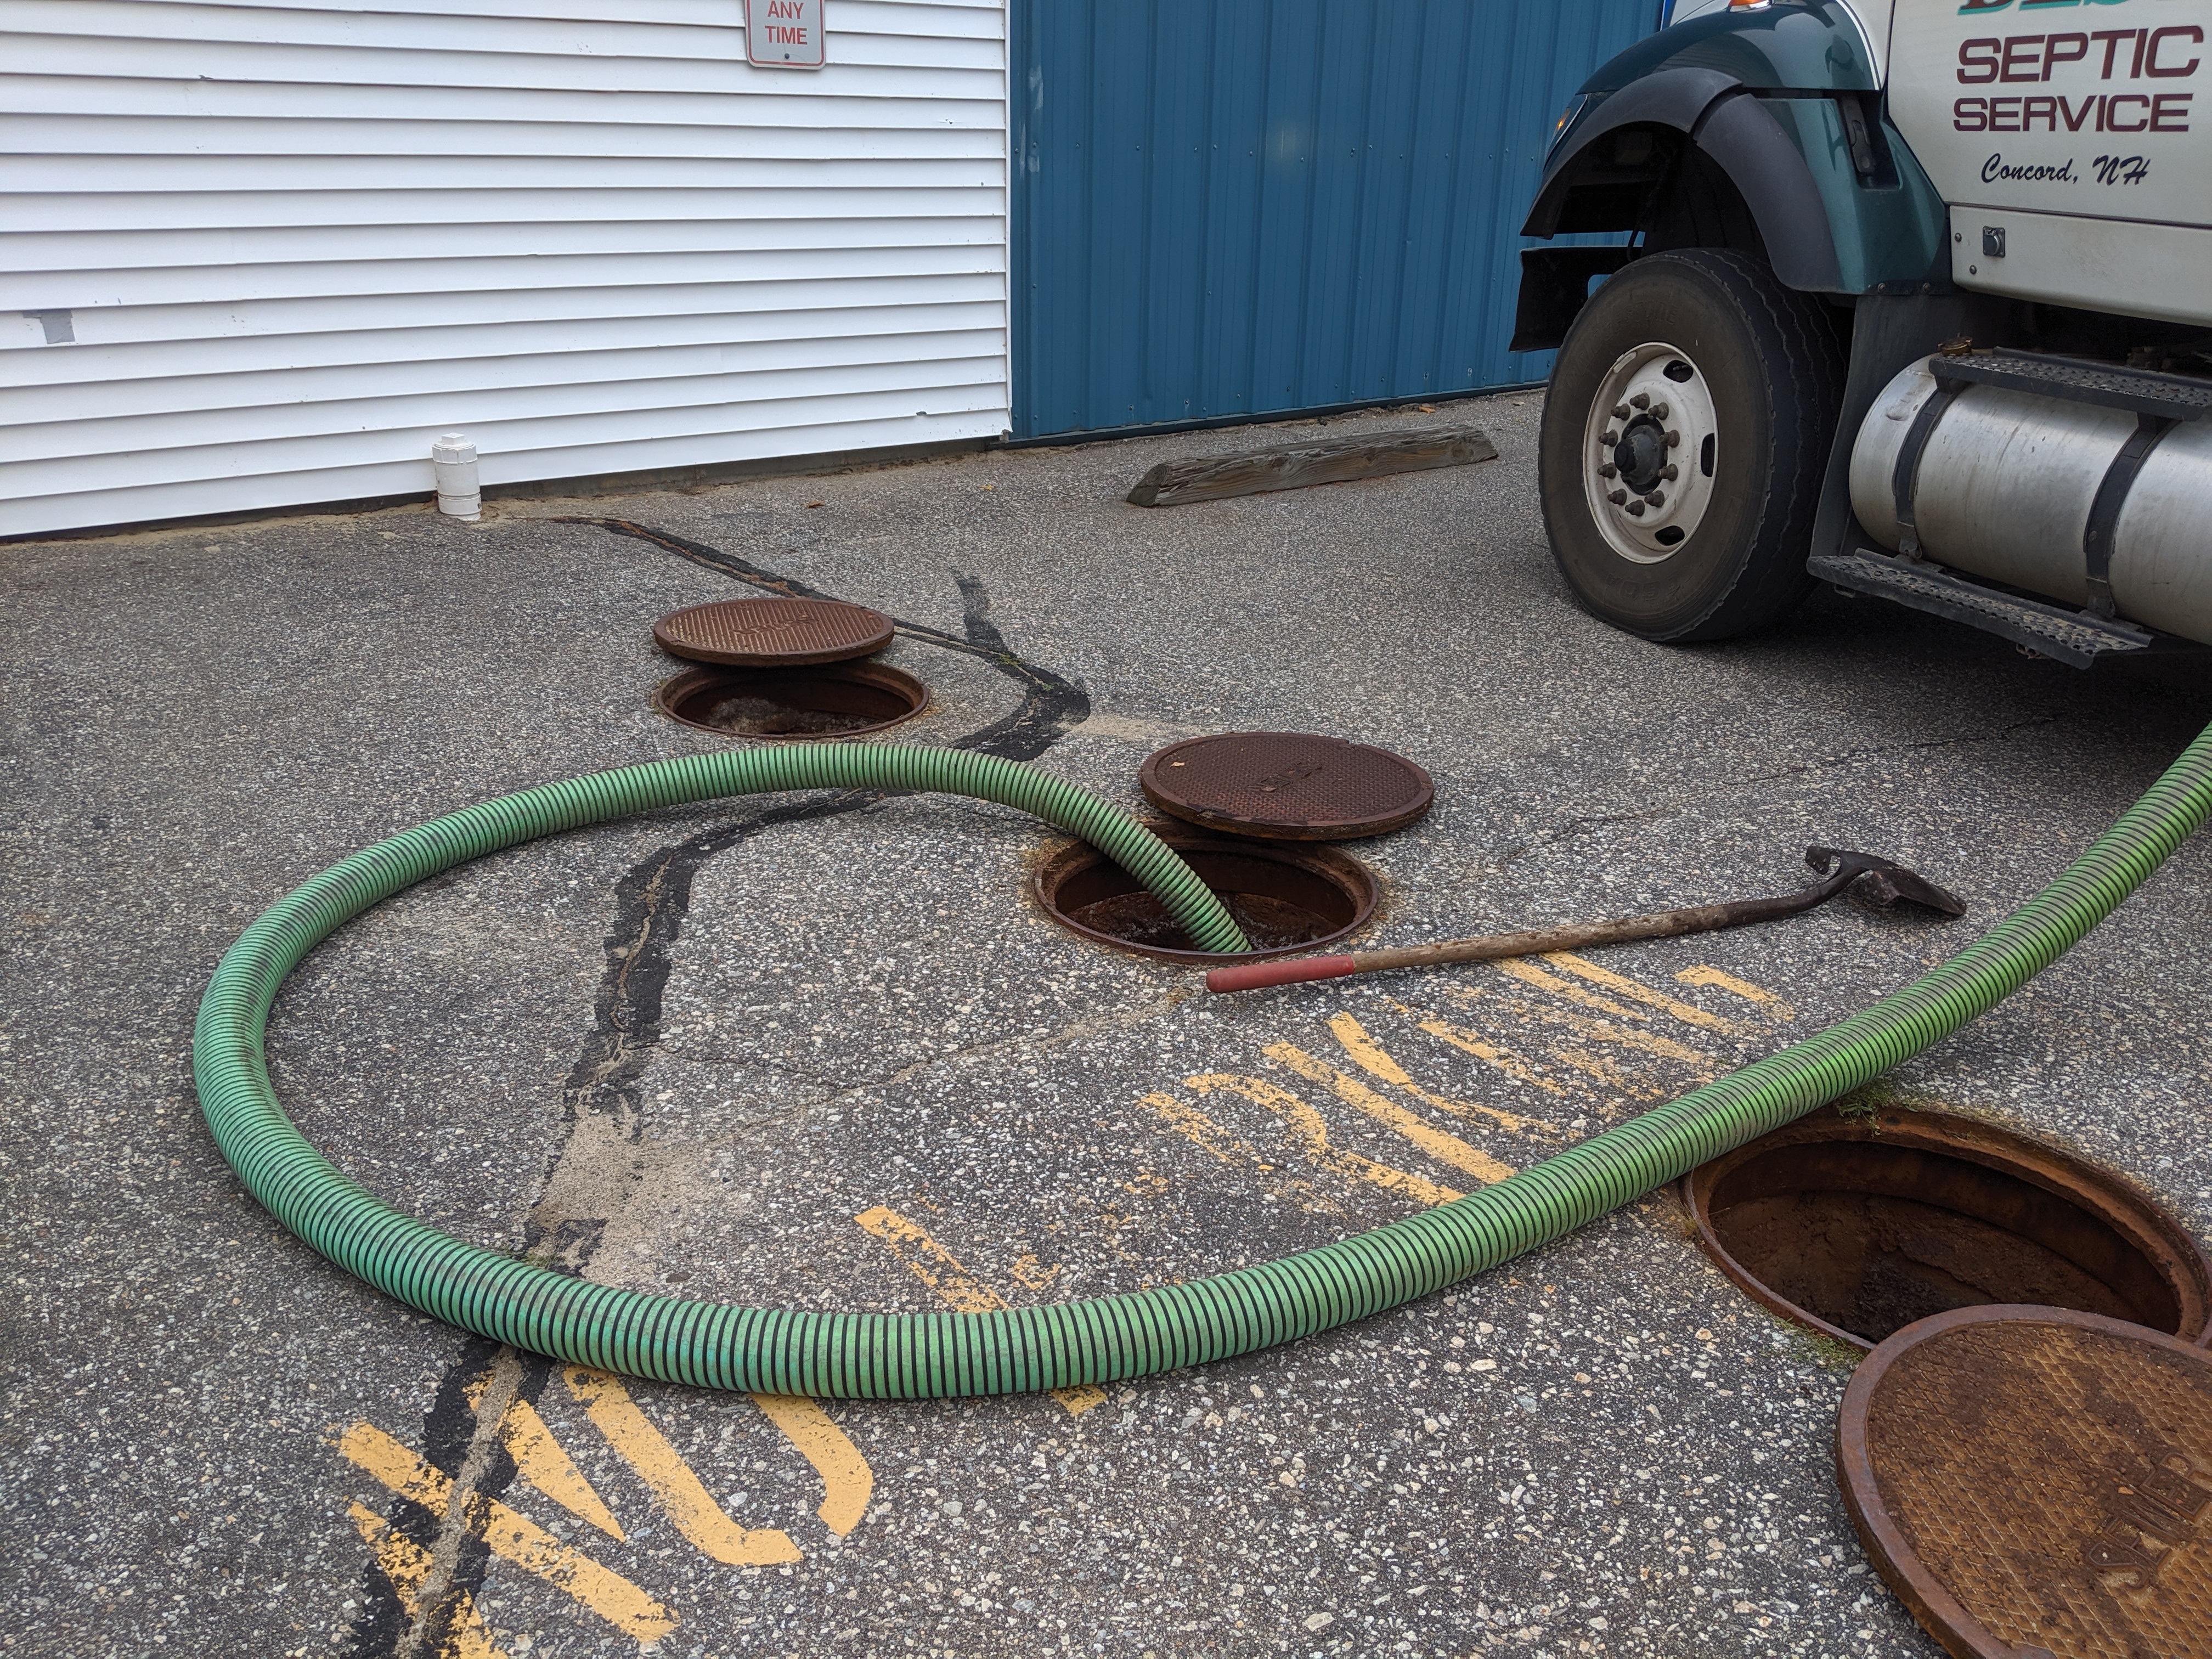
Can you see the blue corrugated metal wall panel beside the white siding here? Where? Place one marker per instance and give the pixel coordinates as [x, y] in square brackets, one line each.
[1240, 207]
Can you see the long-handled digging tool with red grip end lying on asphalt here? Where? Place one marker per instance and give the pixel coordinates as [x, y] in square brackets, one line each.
[1879, 881]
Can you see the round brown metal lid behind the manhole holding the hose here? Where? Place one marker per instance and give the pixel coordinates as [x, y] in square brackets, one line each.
[1286, 786]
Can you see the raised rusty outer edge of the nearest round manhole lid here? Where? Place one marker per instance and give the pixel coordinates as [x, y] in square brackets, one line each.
[1899, 1565]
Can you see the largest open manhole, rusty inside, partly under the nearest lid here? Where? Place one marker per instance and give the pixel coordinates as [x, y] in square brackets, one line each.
[1864, 1224]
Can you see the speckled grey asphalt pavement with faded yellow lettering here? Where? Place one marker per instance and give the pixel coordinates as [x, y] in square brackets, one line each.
[828, 1054]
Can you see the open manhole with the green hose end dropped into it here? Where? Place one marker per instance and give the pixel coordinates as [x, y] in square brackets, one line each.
[1286, 899]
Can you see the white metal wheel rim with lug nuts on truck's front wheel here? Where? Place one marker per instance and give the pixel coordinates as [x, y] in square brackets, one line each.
[1649, 472]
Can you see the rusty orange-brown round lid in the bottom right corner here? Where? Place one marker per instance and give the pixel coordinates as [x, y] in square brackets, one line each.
[2036, 1483]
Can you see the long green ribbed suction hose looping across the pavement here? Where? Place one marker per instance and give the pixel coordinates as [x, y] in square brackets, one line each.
[1098, 1342]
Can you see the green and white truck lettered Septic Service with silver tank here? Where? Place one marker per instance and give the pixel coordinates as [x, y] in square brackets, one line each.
[1914, 300]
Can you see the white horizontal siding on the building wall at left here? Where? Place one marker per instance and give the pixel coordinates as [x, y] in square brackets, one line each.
[300, 240]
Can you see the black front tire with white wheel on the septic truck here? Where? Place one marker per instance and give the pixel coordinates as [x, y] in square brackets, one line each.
[1687, 435]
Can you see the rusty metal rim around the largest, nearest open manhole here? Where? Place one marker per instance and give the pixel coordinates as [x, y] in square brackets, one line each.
[2138, 1215]
